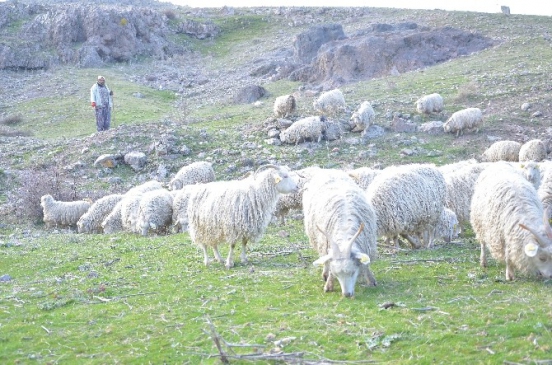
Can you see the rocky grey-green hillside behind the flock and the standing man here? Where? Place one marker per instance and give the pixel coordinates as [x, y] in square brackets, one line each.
[221, 70]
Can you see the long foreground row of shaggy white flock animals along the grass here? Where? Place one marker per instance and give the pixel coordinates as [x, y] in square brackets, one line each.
[507, 203]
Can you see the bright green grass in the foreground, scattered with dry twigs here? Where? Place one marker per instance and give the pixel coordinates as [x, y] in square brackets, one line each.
[128, 299]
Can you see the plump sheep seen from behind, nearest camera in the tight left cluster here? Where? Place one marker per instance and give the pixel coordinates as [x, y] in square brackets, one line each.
[155, 211]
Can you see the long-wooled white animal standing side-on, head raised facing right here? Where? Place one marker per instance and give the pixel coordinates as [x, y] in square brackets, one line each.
[238, 210]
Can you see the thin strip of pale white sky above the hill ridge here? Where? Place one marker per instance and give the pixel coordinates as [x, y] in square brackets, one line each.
[526, 7]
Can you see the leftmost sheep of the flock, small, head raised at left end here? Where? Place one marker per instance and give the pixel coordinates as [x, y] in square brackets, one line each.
[62, 213]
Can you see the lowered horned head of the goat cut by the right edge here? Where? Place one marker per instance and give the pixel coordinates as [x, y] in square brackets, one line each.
[539, 250]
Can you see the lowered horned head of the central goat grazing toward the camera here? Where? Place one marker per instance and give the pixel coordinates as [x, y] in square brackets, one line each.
[344, 263]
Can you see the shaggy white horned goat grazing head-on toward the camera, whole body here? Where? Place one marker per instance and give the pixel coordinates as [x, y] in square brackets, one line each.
[341, 226]
